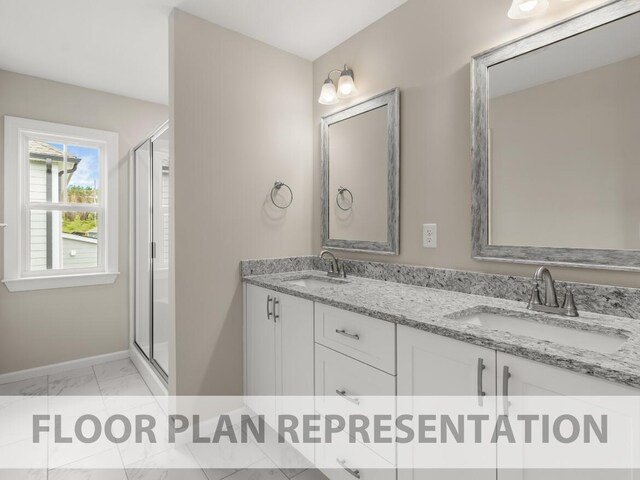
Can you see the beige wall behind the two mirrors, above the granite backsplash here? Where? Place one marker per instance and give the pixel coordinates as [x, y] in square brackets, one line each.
[424, 47]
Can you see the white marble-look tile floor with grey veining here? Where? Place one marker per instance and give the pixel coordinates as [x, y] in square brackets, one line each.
[107, 382]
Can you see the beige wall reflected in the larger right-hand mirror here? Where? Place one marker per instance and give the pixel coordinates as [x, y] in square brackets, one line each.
[564, 161]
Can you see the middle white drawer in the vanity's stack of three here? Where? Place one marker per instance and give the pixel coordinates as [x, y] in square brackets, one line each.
[364, 391]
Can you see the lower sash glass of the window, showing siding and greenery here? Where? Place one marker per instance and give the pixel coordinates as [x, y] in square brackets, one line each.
[63, 240]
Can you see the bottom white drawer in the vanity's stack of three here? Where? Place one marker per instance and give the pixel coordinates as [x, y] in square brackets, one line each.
[343, 460]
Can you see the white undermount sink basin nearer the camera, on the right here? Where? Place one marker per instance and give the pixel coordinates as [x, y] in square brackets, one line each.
[589, 340]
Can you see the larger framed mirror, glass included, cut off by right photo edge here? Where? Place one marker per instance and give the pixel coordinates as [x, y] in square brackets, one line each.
[555, 126]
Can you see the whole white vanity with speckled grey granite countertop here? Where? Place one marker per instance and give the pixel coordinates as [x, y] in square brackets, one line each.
[309, 334]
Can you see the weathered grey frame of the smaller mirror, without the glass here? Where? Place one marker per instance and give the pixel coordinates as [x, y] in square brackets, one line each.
[390, 100]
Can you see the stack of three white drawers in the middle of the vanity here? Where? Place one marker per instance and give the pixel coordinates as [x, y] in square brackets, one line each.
[355, 375]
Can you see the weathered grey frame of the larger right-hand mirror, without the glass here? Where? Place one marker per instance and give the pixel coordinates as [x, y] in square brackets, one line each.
[480, 64]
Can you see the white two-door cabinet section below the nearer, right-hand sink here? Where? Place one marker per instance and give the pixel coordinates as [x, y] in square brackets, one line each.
[431, 365]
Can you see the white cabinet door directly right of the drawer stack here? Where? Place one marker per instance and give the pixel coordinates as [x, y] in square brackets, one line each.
[432, 365]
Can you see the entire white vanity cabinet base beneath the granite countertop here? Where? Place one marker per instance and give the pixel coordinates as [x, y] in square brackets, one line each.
[295, 347]
